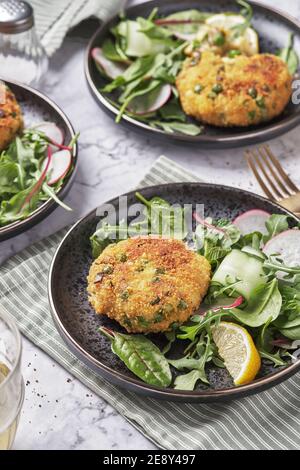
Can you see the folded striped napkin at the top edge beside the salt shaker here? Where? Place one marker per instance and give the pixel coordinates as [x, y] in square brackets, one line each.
[53, 19]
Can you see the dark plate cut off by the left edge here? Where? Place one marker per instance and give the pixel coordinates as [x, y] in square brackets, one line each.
[36, 108]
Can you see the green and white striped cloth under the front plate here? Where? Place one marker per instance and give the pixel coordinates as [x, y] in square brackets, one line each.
[270, 420]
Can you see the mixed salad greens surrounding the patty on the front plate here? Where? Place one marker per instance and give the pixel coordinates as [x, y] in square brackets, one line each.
[248, 287]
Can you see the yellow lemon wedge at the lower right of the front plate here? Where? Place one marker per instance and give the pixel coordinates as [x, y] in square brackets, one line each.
[237, 349]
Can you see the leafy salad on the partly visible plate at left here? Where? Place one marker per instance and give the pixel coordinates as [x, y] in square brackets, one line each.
[24, 181]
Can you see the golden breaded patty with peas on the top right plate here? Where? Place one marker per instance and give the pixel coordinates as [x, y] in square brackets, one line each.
[242, 91]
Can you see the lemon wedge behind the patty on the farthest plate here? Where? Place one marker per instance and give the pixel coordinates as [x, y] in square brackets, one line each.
[247, 43]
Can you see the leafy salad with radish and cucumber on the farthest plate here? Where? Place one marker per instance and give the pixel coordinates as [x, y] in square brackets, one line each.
[143, 57]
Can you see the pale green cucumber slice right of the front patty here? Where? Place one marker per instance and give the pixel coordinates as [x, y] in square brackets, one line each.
[242, 268]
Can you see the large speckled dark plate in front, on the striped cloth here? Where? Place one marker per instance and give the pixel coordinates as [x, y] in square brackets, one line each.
[77, 322]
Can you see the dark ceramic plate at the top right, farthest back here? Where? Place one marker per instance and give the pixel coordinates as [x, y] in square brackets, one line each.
[273, 27]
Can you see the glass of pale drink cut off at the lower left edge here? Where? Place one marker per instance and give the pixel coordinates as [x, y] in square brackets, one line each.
[11, 382]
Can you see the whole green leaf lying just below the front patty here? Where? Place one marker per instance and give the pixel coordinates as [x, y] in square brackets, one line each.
[141, 356]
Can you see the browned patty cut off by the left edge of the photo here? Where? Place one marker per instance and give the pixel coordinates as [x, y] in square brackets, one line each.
[11, 121]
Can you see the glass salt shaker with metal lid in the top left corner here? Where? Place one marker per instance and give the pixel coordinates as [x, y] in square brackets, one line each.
[22, 57]
